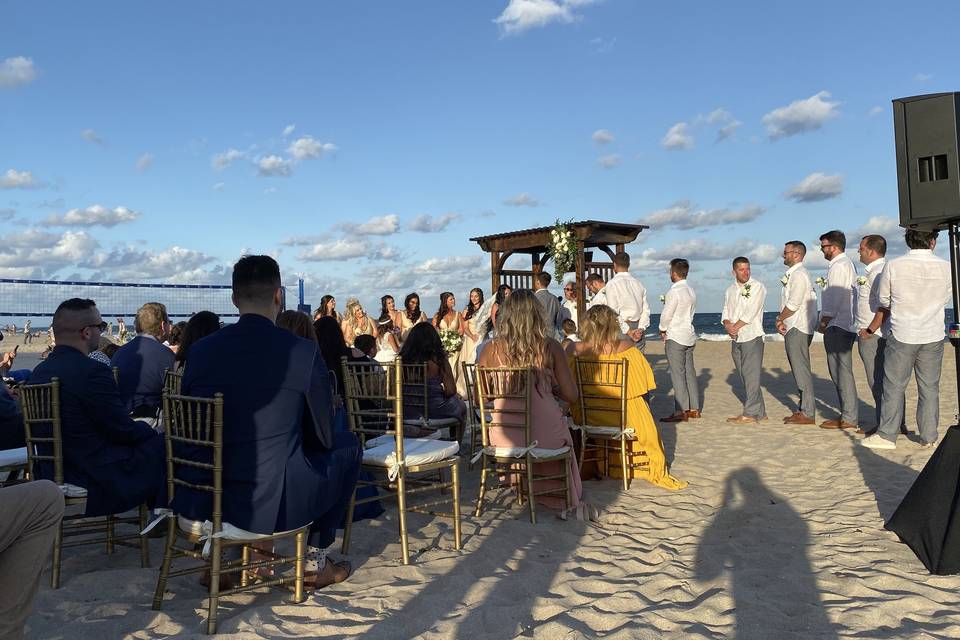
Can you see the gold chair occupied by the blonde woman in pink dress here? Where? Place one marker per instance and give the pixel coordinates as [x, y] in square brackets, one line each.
[504, 399]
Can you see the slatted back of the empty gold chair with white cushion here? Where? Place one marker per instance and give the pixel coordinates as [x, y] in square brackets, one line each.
[373, 399]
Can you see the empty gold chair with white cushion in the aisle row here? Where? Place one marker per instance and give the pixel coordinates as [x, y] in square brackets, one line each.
[374, 401]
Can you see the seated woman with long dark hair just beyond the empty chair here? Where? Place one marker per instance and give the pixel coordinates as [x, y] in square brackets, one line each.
[423, 346]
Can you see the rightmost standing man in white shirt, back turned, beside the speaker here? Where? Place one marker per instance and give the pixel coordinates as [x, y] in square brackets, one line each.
[913, 289]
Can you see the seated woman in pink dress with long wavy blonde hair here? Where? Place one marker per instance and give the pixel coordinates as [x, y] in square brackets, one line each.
[520, 341]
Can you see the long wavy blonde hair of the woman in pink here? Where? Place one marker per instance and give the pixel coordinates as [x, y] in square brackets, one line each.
[520, 331]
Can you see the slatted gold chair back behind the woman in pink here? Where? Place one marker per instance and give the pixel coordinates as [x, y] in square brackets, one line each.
[504, 399]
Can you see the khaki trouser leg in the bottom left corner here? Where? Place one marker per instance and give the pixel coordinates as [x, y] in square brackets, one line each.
[31, 515]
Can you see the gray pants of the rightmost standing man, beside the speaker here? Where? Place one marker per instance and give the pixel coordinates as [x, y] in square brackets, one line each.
[899, 359]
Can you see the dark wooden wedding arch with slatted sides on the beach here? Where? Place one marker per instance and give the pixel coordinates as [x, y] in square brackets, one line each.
[608, 237]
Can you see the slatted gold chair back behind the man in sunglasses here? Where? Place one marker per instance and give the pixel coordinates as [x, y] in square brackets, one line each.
[40, 406]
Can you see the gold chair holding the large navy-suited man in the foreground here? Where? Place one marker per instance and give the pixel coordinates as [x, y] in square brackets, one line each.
[193, 434]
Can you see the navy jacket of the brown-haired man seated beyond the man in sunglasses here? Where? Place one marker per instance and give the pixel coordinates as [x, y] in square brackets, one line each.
[142, 363]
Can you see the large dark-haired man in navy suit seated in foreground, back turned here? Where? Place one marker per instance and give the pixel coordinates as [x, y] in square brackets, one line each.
[283, 464]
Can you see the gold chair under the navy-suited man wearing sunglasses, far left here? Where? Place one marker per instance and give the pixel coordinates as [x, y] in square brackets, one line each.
[40, 404]
